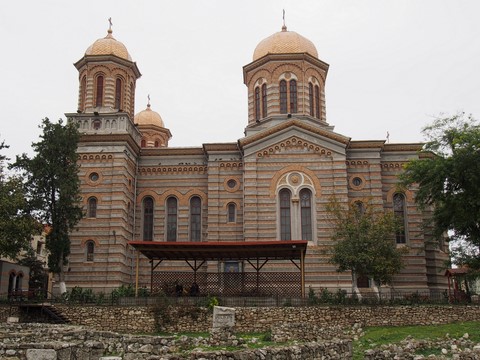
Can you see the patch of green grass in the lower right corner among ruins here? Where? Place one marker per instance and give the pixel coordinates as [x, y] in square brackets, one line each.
[377, 336]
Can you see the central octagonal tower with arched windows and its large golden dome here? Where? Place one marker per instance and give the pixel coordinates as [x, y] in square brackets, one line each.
[286, 78]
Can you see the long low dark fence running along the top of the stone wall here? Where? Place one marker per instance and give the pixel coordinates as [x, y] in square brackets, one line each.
[277, 298]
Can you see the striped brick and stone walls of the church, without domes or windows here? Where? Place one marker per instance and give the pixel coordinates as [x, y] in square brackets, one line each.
[279, 150]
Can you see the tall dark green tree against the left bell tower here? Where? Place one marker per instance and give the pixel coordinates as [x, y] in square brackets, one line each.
[51, 178]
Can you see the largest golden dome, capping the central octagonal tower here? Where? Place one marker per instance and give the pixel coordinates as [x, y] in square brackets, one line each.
[284, 42]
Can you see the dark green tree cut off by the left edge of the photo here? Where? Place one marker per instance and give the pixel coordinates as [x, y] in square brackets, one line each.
[17, 225]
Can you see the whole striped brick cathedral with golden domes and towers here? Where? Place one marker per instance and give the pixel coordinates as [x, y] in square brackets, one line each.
[272, 186]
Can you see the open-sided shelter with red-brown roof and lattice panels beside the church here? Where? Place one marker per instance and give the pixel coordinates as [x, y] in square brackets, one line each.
[251, 281]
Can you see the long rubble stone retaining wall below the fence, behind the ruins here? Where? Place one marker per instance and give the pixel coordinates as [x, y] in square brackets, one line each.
[259, 319]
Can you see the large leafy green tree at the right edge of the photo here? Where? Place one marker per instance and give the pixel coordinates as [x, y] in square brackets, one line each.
[448, 179]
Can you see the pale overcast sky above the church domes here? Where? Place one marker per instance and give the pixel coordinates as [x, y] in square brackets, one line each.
[394, 65]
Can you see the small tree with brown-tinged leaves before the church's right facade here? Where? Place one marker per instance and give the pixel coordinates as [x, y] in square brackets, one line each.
[364, 242]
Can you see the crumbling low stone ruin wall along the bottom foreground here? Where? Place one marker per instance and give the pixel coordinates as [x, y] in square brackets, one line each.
[64, 342]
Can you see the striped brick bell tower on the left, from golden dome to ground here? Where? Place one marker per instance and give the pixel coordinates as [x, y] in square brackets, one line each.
[108, 153]
